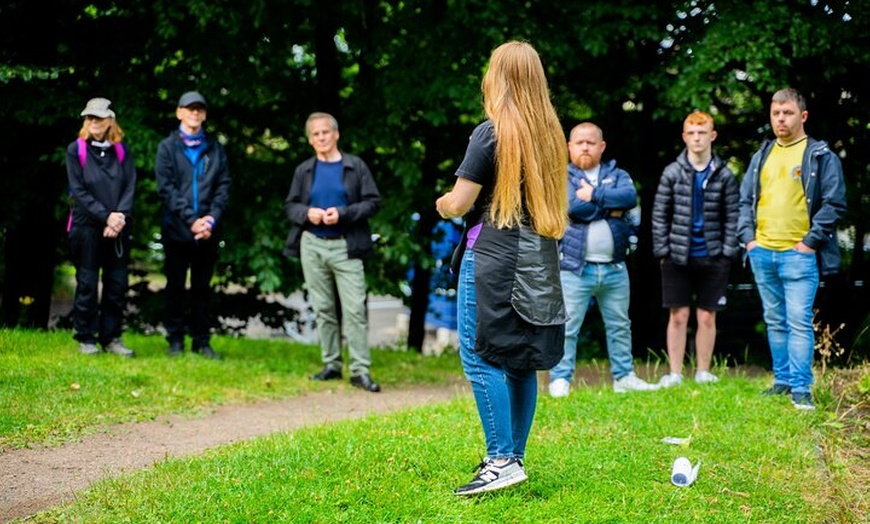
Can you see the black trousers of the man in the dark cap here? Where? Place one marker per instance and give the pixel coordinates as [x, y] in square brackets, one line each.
[189, 312]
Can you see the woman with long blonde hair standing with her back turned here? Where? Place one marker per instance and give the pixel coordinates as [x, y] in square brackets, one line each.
[511, 189]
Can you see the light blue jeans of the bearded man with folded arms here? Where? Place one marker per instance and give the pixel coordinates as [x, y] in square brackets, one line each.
[610, 286]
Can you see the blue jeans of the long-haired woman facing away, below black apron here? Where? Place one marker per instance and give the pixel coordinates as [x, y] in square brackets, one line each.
[505, 397]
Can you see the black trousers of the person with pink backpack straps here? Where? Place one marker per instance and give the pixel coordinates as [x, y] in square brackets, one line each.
[99, 316]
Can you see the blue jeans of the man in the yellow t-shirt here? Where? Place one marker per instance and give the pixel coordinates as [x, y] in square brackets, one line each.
[787, 282]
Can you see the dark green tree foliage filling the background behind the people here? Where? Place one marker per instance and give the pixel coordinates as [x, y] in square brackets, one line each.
[403, 78]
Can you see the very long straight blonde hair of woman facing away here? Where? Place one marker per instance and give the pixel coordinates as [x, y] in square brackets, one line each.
[531, 155]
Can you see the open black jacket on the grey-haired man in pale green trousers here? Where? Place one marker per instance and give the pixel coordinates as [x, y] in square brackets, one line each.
[363, 201]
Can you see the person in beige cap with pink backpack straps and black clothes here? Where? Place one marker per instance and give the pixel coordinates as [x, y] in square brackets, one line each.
[102, 183]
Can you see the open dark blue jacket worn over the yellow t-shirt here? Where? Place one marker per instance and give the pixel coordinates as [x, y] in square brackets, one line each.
[825, 190]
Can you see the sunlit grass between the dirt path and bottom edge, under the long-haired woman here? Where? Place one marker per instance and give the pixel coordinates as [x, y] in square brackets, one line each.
[593, 457]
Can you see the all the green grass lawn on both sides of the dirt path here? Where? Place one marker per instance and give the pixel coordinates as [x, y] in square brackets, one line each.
[593, 457]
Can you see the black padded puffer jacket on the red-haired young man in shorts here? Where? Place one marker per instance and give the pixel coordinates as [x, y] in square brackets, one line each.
[672, 211]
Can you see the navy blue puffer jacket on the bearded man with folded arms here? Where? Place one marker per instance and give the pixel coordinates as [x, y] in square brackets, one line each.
[615, 192]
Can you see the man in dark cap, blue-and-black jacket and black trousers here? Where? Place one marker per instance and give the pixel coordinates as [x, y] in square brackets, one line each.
[194, 182]
